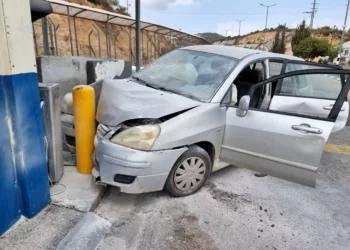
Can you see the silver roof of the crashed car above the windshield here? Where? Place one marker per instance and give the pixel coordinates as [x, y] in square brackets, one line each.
[236, 52]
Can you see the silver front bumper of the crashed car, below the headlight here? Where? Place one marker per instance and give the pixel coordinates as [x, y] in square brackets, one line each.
[150, 168]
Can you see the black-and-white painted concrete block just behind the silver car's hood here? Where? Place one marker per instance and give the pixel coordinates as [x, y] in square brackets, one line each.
[103, 69]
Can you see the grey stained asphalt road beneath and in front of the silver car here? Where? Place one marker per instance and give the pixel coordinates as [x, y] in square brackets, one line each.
[236, 210]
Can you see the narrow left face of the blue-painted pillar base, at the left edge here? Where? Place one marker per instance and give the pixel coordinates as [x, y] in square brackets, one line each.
[9, 207]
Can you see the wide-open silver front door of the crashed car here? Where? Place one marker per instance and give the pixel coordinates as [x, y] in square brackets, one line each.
[285, 144]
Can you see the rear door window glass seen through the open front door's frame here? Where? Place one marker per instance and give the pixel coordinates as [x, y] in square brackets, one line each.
[314, 85]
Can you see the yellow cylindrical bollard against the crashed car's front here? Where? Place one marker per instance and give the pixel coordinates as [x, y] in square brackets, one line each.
[85, 127]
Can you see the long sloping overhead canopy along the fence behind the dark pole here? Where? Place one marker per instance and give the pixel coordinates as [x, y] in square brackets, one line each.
[81, 11]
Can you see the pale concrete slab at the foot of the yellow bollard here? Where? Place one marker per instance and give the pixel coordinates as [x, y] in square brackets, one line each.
[80, 192]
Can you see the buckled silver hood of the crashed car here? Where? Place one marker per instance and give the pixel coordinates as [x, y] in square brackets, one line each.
[122, 100]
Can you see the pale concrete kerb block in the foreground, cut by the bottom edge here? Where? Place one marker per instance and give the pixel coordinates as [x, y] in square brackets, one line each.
[86, 234]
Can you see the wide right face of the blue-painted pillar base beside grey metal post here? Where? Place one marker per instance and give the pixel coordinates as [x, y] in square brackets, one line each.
[22, 104]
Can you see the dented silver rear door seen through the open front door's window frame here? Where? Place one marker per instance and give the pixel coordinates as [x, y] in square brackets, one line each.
[310, 94]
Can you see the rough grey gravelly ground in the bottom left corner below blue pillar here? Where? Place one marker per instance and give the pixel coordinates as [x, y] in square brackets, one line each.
[44, 231]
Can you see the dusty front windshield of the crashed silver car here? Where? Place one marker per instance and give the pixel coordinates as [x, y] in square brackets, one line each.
[193, 74]
